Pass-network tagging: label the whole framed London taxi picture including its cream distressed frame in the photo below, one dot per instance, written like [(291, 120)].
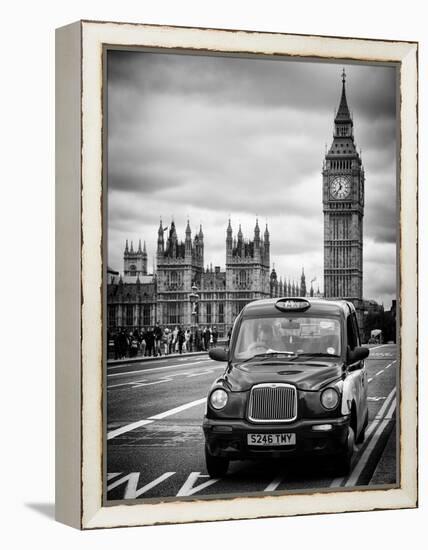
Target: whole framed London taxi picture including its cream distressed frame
[(236, 274)]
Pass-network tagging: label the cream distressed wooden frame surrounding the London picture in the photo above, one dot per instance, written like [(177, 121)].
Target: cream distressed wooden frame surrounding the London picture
[(79, 272)]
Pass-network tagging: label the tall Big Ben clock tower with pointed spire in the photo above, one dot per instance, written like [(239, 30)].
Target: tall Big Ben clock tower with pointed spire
[(343, 206)]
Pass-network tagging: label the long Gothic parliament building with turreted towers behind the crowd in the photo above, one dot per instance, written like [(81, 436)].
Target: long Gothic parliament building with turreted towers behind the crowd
[(137, 299)]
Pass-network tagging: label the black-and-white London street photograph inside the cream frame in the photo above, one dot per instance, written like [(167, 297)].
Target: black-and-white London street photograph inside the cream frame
[(251, 275)]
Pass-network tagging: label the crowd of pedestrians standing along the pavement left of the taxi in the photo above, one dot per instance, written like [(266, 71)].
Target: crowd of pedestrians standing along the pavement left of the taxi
[(156, 341)]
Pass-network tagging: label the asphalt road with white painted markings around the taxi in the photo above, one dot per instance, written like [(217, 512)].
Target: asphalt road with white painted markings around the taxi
[(155, 443)]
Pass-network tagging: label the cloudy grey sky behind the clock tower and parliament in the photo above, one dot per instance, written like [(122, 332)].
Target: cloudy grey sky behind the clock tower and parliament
[(205, 138)]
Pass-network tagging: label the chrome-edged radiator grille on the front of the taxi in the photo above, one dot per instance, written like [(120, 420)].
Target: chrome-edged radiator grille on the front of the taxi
[(272, 403)]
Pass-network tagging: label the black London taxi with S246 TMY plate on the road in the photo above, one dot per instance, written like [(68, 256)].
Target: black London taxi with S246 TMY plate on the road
[(295, 383)]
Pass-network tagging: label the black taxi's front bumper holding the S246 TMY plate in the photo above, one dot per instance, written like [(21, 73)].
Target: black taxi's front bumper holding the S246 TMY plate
[(229, 438)]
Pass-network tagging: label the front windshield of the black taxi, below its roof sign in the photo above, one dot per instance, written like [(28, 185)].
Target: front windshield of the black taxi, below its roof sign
[(290, 336)]
